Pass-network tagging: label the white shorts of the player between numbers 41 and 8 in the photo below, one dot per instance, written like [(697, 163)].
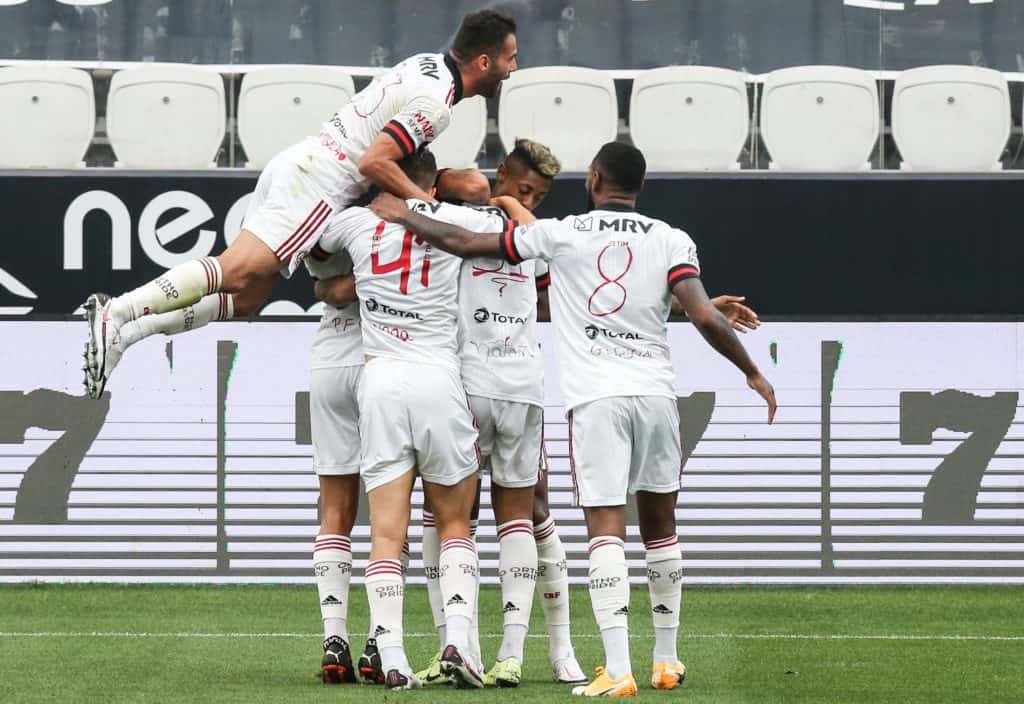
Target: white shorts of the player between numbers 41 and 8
[(511, 434)]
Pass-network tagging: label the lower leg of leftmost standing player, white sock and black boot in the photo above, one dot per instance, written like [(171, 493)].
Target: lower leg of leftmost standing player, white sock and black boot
[(333, 569)]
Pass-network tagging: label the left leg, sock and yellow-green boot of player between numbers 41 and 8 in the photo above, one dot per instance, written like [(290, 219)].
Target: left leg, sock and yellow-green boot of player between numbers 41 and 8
[(518, 568)]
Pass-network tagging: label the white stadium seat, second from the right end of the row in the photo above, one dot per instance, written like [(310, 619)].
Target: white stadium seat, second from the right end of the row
[(820, 118)]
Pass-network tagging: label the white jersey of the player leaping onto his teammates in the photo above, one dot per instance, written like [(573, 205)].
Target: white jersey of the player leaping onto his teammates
[(412, 104)]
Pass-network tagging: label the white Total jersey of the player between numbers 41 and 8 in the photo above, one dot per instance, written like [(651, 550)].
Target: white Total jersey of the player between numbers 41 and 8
[(500, 354)]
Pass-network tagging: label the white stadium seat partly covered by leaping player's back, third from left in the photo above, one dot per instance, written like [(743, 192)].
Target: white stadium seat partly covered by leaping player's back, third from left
[(280, 107)]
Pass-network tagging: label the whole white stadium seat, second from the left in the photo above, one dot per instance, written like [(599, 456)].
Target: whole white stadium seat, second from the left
[(166, 117)]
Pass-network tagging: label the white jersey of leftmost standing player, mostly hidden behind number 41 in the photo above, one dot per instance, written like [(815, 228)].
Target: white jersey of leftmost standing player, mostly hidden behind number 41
[(338, 341)]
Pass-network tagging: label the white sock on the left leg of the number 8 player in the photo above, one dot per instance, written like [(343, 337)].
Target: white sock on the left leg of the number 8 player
[(610, 595)]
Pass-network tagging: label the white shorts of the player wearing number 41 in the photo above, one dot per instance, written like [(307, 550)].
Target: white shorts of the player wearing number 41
[(415, 416)]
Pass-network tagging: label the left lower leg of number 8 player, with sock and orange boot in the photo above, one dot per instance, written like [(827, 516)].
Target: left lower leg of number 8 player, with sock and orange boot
[(610, 596)]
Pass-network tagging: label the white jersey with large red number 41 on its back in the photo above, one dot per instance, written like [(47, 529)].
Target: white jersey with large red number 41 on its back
[(408, 290)]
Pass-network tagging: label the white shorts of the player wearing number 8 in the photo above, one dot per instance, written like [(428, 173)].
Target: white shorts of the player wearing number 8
[(624, 444)]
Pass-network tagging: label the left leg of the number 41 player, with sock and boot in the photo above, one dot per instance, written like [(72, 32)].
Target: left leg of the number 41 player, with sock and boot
[(390, 507)]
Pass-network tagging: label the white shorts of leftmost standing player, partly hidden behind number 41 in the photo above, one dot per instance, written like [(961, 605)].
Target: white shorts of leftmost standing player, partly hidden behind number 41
[(334, 420)]
